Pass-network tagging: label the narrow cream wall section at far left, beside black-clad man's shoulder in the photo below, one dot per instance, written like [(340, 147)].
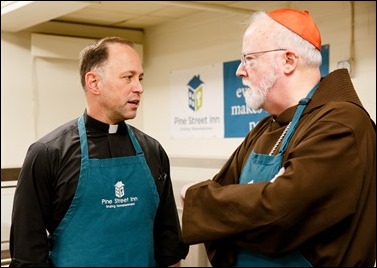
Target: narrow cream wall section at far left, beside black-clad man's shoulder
[(17, 122)]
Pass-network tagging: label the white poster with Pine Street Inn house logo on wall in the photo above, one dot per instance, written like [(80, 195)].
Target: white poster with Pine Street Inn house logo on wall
[(197, 102)]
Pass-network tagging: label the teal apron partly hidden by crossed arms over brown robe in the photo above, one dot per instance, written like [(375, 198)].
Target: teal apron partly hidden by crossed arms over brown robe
[(260, 168)]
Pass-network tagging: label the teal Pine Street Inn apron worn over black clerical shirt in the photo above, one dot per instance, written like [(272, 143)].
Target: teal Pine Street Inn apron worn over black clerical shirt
[(111, 218)]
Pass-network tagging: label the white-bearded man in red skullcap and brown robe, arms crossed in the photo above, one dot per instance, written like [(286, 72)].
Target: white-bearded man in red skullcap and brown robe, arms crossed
[(300, 190)]
